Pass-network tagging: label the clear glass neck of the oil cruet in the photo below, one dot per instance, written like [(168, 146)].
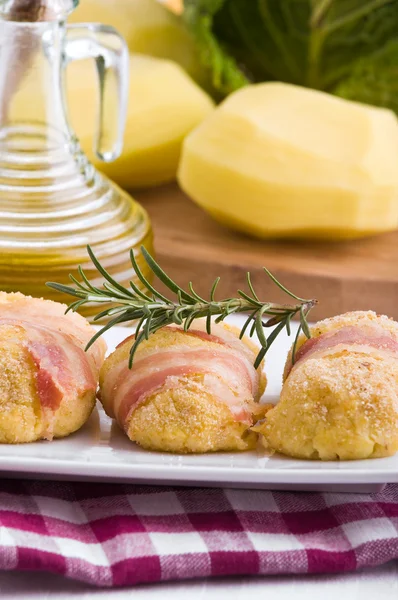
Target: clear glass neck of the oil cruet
[(31, 80)]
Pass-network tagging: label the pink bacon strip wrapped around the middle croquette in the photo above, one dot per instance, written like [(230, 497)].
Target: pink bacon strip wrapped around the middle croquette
[(228, 373)]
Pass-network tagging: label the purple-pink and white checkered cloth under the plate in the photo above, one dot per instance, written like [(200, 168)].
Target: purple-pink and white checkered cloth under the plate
[(115, 535)]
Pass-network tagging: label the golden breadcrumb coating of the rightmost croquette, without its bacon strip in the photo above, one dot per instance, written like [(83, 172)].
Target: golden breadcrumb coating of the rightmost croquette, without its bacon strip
[(342, 405)]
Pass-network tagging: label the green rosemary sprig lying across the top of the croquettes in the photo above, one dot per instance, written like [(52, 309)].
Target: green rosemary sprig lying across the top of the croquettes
[(153, 310)]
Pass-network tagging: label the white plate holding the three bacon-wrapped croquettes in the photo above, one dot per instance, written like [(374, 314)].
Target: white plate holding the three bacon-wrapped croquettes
[(100, 451)]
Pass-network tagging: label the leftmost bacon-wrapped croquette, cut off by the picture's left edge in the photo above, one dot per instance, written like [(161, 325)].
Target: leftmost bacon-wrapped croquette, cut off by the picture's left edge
[(47, 381)]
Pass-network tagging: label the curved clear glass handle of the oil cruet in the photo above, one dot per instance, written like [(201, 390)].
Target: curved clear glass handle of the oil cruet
[(109, 50)]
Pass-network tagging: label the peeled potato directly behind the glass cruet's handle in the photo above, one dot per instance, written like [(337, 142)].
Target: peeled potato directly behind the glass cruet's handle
[(164, 106)]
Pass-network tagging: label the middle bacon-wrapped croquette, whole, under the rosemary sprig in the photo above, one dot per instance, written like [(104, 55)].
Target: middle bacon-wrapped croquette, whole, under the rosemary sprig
[(186, 391)]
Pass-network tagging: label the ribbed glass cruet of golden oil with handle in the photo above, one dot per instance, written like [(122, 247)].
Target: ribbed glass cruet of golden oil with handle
[(52, 200)]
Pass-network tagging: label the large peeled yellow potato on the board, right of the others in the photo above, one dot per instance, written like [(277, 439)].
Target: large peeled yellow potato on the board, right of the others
[(277, 160)]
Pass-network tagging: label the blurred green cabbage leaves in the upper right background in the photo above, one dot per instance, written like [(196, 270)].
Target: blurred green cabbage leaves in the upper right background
[(347, 47)]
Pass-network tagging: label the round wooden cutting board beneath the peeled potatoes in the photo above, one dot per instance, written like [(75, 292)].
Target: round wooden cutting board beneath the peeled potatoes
[(343, 276)]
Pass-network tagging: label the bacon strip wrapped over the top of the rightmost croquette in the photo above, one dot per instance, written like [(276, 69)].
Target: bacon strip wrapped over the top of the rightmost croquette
[(365, 336)]
